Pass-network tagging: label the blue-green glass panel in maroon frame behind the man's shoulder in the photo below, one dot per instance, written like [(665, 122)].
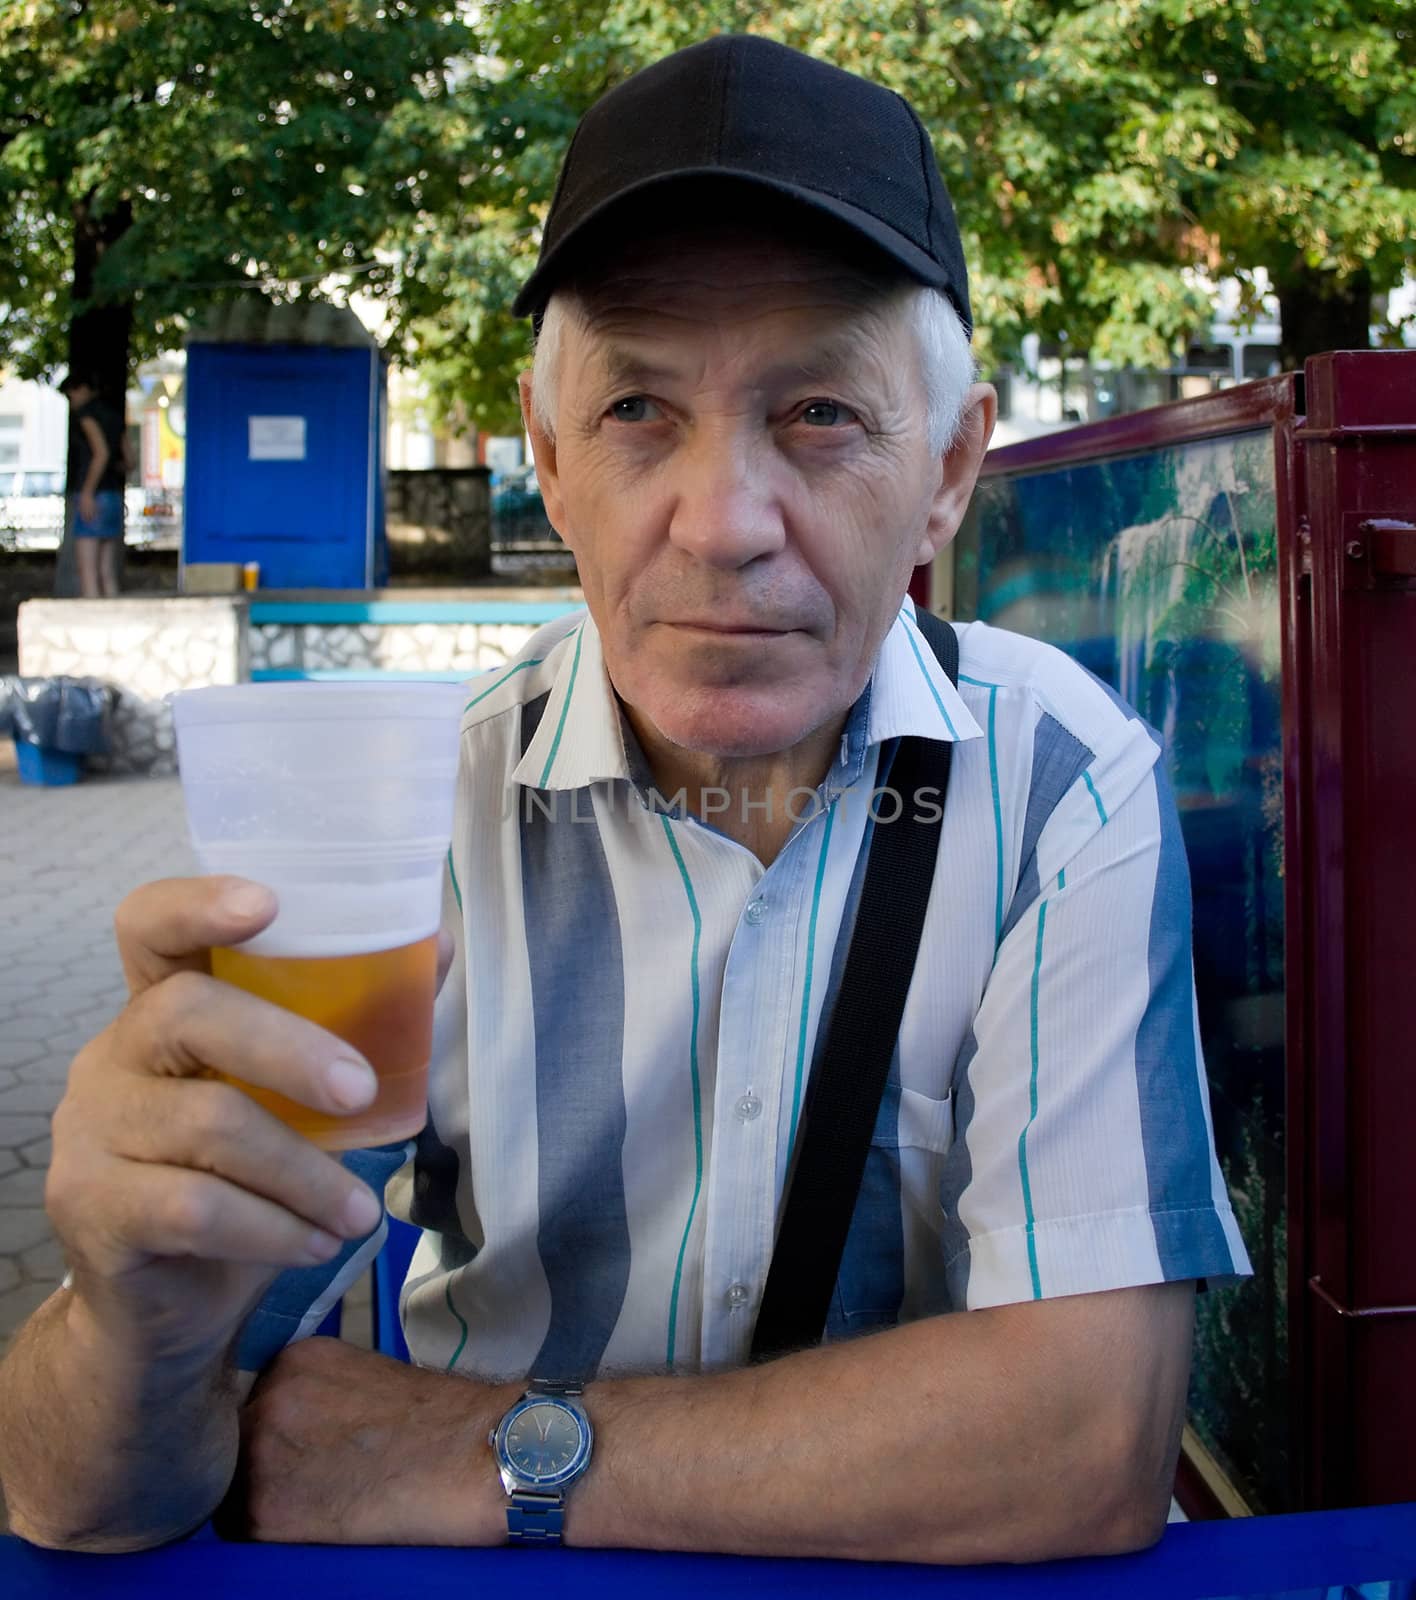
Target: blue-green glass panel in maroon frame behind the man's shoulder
[(1159, 574)]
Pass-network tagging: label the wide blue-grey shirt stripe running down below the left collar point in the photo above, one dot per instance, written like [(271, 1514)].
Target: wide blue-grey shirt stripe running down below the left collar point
[(577, 967)]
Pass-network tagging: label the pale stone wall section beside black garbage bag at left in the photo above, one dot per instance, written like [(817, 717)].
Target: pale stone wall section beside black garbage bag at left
[(146, 650)]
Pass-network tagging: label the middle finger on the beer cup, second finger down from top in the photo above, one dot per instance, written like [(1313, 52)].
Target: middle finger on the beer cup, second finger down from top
[(193, 1025)]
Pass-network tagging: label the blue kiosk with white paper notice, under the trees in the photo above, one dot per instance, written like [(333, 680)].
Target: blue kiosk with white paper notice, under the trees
[(286, 425)]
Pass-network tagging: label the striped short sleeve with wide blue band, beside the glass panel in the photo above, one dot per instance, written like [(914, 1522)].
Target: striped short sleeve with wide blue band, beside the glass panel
[(1084, 1154)]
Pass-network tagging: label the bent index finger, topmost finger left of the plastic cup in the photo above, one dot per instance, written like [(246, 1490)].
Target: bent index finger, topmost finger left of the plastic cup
[(170, 926)]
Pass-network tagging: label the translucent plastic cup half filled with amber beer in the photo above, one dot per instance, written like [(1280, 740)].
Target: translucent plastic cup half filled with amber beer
[(340, 799)]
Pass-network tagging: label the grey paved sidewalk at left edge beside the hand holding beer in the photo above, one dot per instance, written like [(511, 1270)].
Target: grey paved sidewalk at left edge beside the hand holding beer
[(68, 857)]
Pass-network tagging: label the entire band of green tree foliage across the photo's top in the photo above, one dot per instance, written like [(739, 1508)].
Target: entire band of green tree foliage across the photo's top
[(1097, 150)]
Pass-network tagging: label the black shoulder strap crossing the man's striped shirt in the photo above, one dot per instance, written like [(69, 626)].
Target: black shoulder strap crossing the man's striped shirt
[(846, 1090)]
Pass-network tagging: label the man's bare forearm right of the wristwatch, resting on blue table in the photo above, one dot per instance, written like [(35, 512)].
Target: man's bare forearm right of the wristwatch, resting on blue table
[(930, 1444)]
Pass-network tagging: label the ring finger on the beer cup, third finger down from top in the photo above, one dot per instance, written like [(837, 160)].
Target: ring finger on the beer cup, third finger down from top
[(217, 1129)]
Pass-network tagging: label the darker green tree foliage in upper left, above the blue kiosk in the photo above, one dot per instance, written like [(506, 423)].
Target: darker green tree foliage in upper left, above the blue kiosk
[(158, 158)]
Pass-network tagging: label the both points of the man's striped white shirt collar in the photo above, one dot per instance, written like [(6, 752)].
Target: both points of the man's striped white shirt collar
[(580, 738)]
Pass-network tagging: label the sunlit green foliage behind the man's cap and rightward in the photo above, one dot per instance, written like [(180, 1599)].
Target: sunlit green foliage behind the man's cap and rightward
[(1097, 150)]
